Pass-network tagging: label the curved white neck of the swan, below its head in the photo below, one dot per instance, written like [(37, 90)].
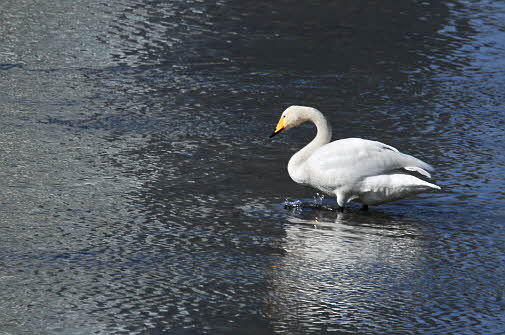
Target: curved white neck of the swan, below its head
[(323, 137)]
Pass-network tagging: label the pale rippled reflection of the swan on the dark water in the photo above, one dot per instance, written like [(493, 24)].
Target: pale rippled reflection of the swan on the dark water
[(343, 270)]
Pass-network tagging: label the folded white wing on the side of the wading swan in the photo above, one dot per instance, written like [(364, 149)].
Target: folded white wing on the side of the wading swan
[(354, 159)]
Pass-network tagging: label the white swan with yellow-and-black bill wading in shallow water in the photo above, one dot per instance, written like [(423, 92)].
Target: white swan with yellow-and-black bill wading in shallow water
[(352, 169)]
